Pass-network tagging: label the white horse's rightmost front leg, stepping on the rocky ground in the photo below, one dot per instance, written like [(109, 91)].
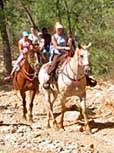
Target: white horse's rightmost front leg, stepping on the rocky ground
[(84, 112)]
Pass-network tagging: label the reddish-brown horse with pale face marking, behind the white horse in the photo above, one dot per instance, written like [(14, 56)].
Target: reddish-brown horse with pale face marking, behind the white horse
[(26, 80)]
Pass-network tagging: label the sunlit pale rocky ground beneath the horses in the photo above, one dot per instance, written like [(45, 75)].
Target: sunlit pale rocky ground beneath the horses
[(19, 136)]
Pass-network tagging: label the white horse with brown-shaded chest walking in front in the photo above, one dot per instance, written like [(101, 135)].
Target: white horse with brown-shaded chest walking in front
[(71, 82)]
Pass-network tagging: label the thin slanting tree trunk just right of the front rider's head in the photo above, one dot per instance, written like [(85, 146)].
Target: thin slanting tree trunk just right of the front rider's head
[(68, 16)]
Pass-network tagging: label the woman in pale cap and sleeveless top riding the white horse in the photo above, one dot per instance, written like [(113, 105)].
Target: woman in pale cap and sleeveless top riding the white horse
[(57, 49)]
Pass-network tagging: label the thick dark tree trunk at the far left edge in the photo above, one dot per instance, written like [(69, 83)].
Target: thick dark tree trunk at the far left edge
[(5, 40)]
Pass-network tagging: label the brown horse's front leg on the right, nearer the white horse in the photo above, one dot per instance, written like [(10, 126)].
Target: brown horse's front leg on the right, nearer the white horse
[(32, 95)]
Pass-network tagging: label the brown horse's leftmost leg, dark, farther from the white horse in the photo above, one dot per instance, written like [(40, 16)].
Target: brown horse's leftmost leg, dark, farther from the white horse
[(23, 95)]
